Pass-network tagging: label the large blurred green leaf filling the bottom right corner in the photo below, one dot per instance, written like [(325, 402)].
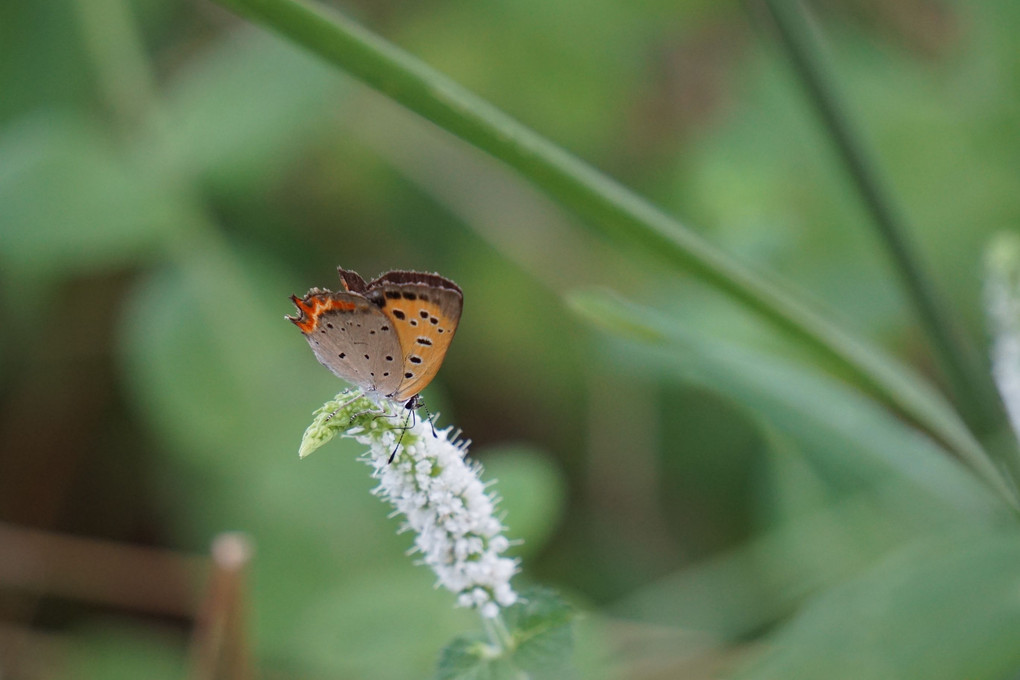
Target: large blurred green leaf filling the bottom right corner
[(939, 610)]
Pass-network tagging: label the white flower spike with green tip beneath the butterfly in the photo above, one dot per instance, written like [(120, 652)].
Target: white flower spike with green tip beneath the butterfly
[(440, 495)]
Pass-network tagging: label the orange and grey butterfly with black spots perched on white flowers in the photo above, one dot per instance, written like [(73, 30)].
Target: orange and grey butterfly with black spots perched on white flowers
[(387, 337)]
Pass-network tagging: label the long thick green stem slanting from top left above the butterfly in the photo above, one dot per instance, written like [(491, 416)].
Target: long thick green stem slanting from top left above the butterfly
[(614, 210)]
